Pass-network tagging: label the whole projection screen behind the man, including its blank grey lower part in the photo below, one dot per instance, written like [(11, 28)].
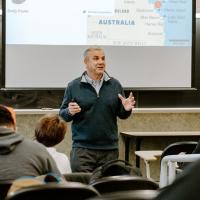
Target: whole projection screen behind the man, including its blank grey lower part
[(148, 43)]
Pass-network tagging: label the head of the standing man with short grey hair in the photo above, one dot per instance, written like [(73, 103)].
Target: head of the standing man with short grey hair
[(94, 59)]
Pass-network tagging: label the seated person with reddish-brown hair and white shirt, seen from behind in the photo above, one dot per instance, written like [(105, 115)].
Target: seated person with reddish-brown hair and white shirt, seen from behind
[(50, 131)]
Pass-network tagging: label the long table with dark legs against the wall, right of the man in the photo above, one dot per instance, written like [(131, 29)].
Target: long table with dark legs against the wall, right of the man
[(138, 136)]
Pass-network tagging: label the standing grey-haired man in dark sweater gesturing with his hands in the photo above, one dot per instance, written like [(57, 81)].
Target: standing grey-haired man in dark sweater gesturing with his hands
[(94, 101)]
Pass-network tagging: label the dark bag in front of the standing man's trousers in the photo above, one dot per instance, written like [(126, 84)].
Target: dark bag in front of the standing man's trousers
[(114, 168)]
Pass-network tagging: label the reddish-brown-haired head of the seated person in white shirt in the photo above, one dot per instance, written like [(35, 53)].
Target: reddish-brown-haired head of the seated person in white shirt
[(50, 130)]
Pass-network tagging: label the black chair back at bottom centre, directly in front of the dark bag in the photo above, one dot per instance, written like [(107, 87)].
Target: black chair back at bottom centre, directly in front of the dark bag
[(123, 183)]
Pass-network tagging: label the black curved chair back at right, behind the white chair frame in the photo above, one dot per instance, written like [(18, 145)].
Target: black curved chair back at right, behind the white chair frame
[(186, 147)]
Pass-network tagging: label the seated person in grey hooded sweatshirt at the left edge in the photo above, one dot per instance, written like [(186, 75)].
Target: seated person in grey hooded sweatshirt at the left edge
[(19, 156)]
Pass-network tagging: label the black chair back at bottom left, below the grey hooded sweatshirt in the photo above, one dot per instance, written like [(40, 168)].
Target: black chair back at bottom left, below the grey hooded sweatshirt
[(52, 191)]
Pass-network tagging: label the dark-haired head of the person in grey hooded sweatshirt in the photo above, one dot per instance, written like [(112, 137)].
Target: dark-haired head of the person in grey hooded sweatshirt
[(7, 117)]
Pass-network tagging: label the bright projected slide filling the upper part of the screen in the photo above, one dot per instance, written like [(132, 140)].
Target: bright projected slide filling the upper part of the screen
[(104, 22)]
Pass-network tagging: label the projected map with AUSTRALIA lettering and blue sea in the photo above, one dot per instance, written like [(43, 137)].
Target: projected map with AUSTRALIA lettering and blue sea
[(143, 23)]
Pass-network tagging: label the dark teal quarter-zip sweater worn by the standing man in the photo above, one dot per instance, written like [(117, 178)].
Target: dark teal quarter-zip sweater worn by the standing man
[(95, 127)]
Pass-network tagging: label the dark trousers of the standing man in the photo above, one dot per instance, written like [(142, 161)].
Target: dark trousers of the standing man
[(87, 160)]
